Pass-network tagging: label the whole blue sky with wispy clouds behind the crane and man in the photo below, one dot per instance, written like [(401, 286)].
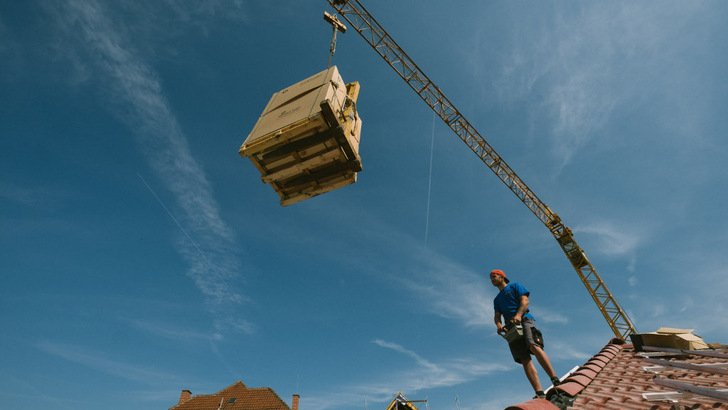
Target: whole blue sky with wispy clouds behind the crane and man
[(142, 256)]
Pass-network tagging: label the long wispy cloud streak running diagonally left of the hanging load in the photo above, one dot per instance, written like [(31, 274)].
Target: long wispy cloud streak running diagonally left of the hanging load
[(136, 95)]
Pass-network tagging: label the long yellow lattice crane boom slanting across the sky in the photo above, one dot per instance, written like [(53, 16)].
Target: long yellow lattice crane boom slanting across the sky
[(374, 34)]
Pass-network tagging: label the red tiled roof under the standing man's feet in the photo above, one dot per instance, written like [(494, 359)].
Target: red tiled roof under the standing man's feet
[(616, 378)]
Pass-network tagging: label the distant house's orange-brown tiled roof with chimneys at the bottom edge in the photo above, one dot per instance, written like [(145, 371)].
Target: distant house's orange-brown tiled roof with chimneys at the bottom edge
[(237, 396)]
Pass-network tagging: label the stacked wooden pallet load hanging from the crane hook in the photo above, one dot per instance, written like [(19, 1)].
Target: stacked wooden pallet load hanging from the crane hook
[(306, 142)]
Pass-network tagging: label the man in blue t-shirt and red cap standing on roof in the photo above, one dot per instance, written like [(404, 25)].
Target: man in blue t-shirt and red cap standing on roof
[(512, 303)]
